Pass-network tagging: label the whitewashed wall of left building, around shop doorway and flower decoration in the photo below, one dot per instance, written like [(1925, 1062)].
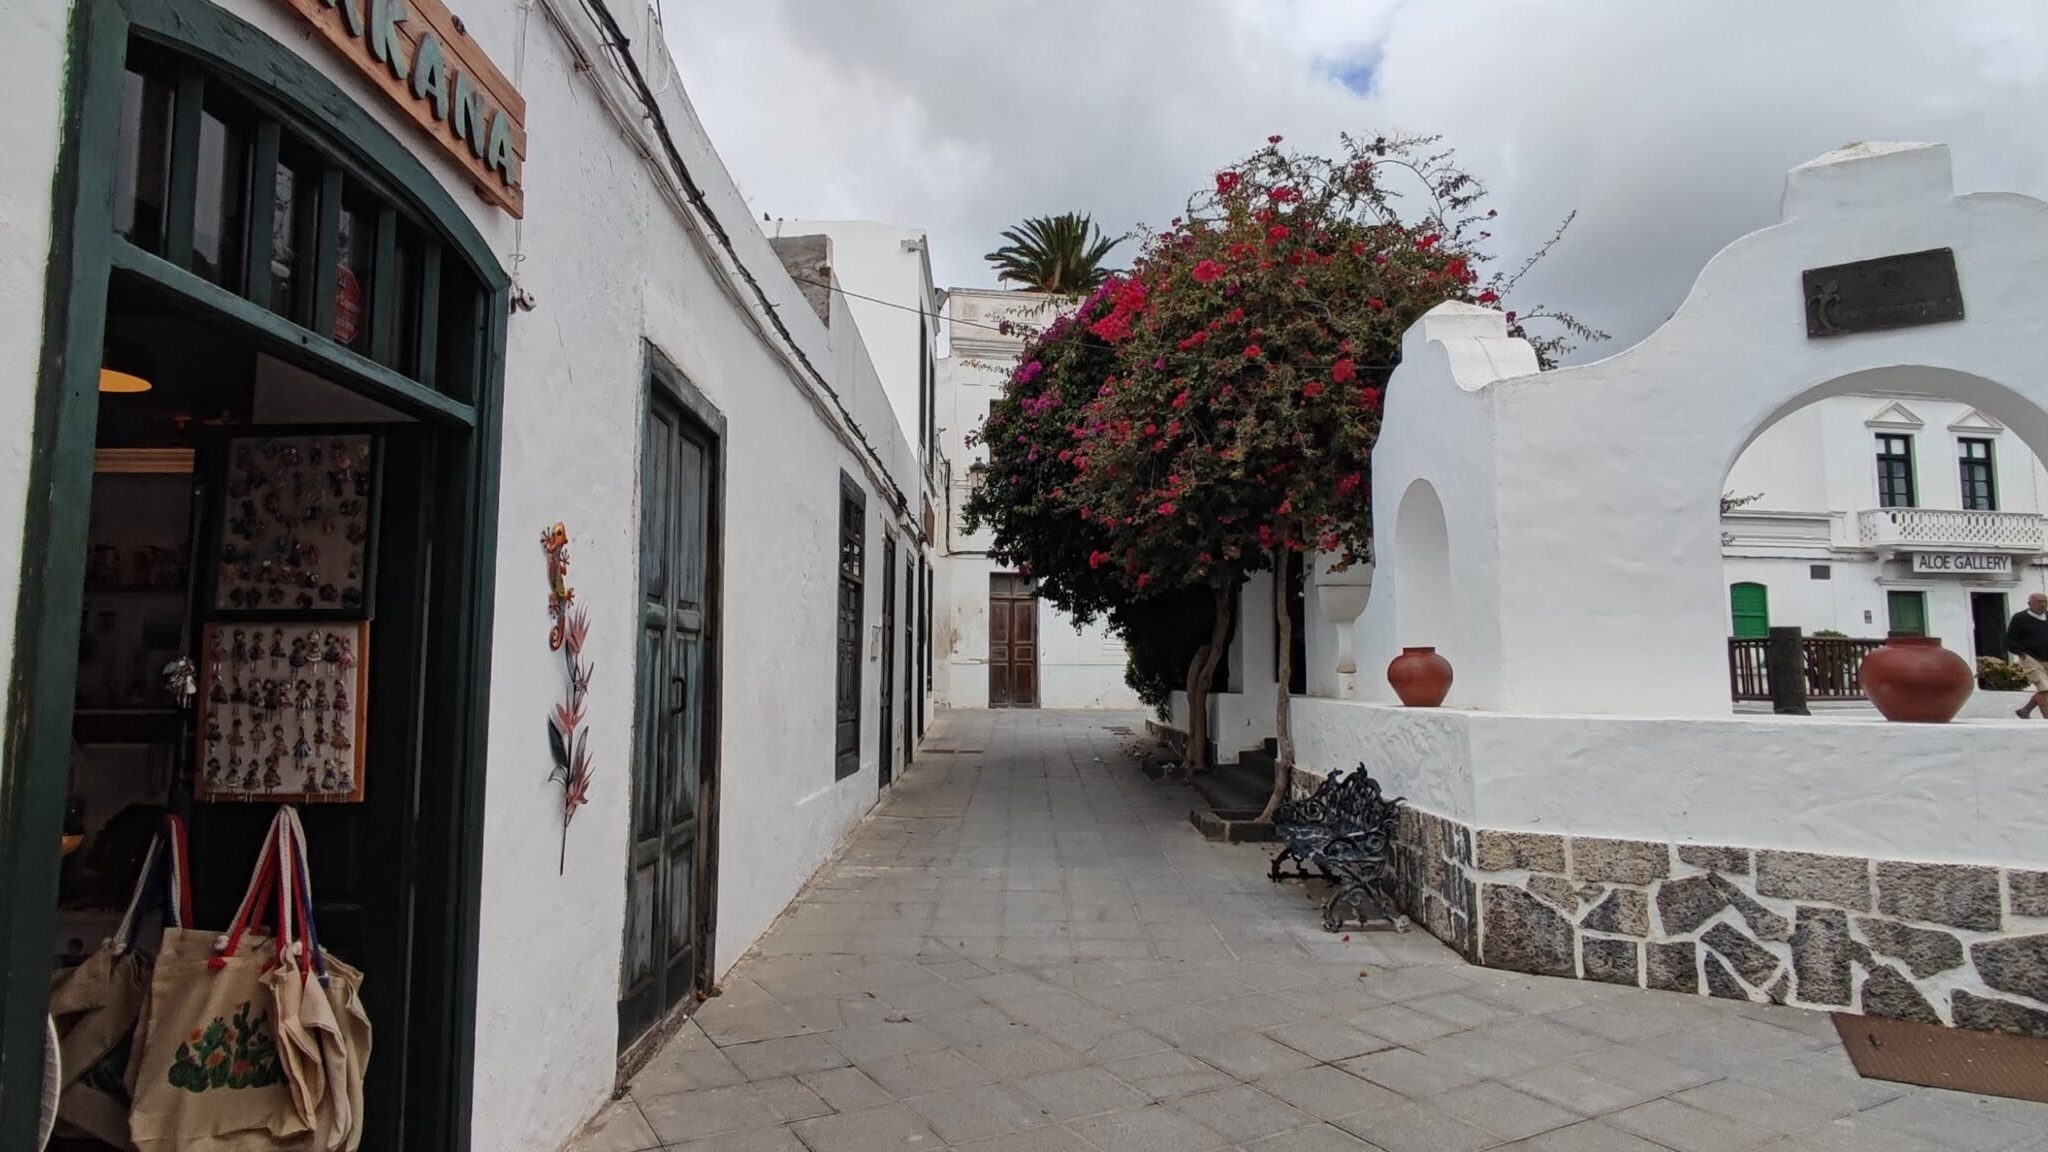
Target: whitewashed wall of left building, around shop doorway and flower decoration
[(609, 263)]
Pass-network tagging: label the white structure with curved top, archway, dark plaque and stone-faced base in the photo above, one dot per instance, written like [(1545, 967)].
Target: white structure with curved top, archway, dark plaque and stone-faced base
[(1588, 805)]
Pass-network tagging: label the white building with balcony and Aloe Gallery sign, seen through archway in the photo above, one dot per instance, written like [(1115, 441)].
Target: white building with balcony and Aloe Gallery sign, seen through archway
[(1873, 513)]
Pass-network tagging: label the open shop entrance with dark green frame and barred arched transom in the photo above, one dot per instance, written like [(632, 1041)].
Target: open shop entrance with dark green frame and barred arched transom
[(265, 446)]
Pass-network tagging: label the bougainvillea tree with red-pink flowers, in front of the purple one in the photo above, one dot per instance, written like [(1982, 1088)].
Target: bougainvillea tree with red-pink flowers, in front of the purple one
[(1252, 347)]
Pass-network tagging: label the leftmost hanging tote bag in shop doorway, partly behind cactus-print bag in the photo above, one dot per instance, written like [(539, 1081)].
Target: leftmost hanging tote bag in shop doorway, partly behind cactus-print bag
[(97, 1005)]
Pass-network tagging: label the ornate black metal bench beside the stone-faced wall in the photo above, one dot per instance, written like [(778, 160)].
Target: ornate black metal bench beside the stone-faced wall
[(1347, 831)]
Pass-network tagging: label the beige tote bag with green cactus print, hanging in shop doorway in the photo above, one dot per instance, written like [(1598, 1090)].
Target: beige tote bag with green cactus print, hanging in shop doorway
[(208, 1069)]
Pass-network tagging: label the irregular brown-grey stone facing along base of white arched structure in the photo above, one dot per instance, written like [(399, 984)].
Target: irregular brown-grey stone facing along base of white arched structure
[(1928, 942)]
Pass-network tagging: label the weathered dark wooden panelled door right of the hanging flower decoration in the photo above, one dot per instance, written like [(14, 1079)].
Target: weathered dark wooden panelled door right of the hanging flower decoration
[(667, 882)]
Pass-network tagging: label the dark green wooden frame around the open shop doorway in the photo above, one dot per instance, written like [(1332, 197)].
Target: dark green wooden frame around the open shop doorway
[(42, 682)]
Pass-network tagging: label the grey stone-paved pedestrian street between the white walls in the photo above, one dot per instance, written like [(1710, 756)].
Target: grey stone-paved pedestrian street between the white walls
[(1029, 950)]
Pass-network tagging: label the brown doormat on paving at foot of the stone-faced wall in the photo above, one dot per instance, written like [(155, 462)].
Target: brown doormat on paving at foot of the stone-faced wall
[(1934, 1057)]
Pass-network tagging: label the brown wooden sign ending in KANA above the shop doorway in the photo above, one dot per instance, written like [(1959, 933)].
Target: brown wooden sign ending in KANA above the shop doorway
[(423, 58)]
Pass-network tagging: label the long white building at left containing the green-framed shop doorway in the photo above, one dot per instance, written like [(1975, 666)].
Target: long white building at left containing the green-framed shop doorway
[(501, 261)]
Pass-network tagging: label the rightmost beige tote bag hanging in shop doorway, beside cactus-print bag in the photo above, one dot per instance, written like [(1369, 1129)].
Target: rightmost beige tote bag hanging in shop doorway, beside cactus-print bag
[(323, 1026)]
